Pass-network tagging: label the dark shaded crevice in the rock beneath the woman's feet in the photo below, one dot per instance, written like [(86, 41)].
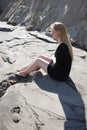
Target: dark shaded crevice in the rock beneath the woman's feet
[(11, 80)]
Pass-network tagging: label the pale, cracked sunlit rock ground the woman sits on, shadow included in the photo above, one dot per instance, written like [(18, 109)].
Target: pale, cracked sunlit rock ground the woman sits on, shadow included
[(38, 102)]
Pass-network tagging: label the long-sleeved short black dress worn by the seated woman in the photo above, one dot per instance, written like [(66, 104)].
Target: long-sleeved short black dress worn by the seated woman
[(61, 69)]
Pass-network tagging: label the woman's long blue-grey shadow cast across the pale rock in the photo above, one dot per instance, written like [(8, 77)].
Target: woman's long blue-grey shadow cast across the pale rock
[(70, 99)]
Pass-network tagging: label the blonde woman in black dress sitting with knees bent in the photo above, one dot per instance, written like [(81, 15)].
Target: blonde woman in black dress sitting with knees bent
[(63, 57)]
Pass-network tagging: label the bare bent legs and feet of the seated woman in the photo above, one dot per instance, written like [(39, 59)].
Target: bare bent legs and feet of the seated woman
[(37, 64)]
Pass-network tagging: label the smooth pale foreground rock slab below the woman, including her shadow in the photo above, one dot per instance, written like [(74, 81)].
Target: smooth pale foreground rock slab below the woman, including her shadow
[(40, 103)]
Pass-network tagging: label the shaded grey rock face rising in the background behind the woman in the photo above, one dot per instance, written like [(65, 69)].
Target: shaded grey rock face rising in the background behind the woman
[(37, 14)]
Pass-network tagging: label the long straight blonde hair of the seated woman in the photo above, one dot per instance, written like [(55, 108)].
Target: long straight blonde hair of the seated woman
[(58, 26)]
